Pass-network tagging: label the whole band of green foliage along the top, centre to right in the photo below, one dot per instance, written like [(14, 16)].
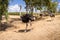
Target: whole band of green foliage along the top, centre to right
[(39, 4)]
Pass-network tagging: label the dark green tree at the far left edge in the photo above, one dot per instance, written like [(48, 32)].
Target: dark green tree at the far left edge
[(3, 9)]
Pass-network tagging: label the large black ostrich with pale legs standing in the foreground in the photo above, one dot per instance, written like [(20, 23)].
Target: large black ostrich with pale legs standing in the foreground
[(26, 18)]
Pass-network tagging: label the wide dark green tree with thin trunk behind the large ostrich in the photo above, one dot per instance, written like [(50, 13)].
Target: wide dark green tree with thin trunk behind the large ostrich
[(35, 3)]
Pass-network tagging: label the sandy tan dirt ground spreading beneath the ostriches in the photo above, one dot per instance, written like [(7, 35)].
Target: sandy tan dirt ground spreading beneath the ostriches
[(43, 29)]
